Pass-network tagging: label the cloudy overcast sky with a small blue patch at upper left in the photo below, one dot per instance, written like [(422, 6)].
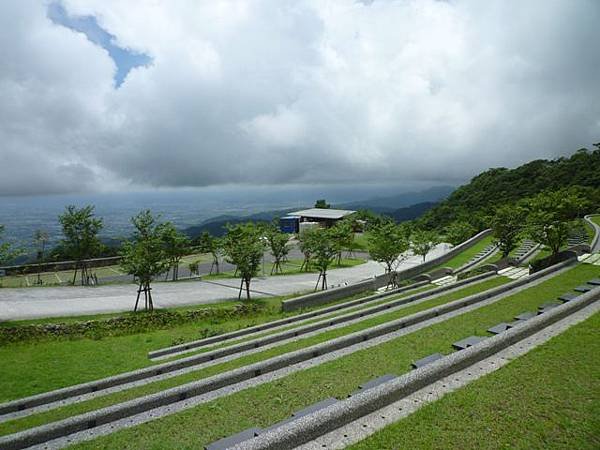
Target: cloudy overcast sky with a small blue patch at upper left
[(115, 95)]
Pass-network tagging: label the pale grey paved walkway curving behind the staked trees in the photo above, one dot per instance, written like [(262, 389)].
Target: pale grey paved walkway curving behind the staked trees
[(29, 303)]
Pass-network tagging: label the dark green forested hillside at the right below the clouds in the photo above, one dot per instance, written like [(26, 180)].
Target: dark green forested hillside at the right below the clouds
[(479, 198)]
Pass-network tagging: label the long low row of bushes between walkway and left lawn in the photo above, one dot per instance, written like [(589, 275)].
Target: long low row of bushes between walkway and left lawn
[(123, 325)]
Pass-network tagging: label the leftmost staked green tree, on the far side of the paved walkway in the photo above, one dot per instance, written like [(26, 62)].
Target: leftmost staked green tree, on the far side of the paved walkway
[(80, 229)]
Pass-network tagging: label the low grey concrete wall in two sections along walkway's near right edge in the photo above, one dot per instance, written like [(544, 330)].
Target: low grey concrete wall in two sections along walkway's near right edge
[(319, 298)]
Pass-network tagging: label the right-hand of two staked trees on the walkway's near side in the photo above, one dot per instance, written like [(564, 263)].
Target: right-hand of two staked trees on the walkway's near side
[(244, 247)]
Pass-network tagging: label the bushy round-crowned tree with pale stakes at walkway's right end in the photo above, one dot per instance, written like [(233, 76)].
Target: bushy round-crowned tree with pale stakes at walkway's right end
[(387, 242)]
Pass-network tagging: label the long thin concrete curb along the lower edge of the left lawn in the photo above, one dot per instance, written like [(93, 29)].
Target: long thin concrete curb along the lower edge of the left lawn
[(149, 372)]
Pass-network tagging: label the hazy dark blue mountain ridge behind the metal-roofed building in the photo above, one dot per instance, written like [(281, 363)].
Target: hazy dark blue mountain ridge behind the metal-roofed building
[(401, 207)]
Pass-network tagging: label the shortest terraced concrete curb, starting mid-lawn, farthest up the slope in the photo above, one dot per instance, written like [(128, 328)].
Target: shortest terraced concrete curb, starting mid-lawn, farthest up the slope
[(270, 325)]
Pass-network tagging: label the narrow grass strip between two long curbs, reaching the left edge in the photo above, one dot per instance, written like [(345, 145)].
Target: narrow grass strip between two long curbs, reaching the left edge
[(118, 397)]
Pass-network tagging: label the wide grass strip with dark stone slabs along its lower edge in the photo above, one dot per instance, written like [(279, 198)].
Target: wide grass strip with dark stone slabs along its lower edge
[(268, 403)]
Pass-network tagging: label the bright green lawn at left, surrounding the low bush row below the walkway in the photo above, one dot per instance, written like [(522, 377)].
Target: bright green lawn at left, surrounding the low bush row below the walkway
[(34, 367)]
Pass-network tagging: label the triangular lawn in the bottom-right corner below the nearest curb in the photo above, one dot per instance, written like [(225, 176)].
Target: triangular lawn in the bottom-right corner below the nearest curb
[(548, 398)]
